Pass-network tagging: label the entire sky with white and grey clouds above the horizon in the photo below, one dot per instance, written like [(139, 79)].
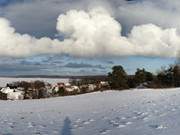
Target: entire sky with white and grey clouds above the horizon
[(87, 37)]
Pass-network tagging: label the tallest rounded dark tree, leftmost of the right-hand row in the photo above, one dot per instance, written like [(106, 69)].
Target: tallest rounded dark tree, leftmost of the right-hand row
[(118, 78)]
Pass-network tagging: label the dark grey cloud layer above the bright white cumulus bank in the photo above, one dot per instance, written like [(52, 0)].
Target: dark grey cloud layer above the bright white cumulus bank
[(38, 17)]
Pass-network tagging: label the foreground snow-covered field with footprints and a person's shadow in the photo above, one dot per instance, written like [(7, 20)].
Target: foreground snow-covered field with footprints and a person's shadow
[(131, 112)]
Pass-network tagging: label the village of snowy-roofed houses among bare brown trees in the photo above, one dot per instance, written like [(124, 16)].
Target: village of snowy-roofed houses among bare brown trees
[(39, 89)]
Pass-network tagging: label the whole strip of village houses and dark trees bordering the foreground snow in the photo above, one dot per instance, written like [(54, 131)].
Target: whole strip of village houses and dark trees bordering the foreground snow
[(117, 79)]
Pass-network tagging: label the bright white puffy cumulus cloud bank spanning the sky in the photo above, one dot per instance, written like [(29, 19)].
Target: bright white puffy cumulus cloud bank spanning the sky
[(91, 33)]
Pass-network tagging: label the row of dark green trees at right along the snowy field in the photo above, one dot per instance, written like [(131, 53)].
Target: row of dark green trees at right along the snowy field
[(165, 78)]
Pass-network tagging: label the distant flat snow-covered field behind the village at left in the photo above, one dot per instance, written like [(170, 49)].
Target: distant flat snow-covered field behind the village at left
[(5, 80)]
